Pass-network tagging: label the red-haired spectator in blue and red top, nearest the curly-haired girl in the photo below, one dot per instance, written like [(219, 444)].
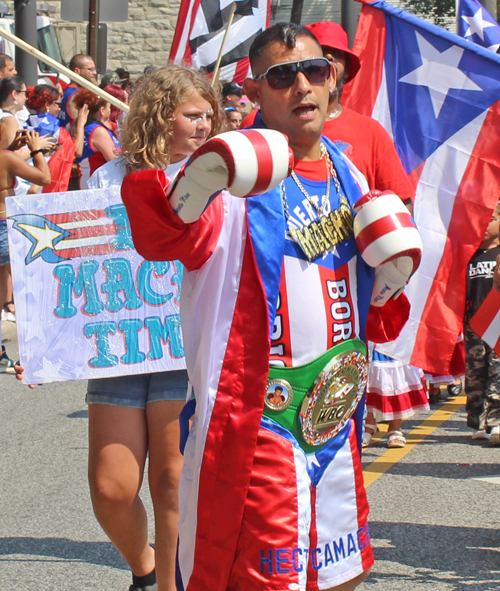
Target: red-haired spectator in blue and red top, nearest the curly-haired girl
[(100, 143)]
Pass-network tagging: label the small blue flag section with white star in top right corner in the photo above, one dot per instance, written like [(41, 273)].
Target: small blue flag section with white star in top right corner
[(476, 24)]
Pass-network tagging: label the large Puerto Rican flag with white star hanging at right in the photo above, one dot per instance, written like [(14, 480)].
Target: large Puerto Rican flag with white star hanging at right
[(438, 96)]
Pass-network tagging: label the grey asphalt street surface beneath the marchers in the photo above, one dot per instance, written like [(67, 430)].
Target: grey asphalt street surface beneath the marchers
[(434, 522)]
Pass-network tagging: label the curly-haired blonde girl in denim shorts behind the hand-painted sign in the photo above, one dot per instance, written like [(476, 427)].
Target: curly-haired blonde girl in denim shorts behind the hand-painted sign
[(171, 114)]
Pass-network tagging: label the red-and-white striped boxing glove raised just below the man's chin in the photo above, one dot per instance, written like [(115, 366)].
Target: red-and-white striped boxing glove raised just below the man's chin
[(246, 163)]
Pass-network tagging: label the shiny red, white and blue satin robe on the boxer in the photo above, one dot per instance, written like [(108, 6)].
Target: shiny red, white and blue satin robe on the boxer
[(234, 257)]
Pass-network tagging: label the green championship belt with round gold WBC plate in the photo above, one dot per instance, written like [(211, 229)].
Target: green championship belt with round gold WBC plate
[(316, 400)]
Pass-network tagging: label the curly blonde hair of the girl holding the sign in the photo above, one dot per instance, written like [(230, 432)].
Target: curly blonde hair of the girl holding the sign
[(147, 130)]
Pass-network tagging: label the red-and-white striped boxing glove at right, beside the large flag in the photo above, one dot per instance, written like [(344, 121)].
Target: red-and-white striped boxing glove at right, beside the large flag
[(389, 241)]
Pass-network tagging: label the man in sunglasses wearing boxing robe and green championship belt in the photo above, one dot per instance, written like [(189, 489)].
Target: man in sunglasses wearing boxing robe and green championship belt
[(275, 293)]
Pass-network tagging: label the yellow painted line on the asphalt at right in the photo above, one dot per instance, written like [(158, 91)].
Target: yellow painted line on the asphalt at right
[(392, 456)]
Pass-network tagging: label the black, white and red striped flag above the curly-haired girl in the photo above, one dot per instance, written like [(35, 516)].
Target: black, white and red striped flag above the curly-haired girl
[(200, 30)]
